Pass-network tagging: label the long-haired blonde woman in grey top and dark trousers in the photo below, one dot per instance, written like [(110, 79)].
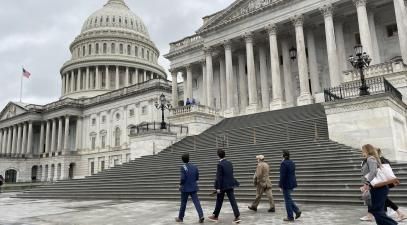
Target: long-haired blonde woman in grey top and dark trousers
[(379, 194)]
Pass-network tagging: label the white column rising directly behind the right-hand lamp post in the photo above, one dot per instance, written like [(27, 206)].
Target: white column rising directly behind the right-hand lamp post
[(364, 30)]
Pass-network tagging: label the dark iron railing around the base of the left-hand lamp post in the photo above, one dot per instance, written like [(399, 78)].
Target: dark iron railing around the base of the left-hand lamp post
[(144, 128)]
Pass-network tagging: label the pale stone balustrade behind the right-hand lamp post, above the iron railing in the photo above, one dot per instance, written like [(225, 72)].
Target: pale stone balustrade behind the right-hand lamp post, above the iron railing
[(381, 69)]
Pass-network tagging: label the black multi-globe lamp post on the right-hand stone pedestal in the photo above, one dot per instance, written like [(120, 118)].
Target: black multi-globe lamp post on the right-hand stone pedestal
[(361, 61)]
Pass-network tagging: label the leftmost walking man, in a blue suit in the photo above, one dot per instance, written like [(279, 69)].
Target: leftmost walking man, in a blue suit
[(189, 187)]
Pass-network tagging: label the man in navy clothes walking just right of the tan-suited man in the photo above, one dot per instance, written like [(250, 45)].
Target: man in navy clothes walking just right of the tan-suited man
[(287, 184)]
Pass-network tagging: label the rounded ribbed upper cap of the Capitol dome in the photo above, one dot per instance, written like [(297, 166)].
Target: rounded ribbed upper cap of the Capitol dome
[(115, 15)]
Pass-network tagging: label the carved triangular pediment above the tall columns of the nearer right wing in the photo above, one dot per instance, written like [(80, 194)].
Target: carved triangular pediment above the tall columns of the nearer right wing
[(238, 10)]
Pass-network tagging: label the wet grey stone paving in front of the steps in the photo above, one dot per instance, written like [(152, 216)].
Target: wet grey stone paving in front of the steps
[(64, 212)]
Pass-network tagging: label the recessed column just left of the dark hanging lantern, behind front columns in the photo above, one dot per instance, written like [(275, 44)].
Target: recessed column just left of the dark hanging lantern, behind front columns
[(288, 77)]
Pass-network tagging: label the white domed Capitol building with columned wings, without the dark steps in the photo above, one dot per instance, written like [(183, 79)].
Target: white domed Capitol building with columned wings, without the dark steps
[(251, 57)]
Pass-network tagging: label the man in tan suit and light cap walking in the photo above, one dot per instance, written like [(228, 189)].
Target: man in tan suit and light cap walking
[(263, 184)]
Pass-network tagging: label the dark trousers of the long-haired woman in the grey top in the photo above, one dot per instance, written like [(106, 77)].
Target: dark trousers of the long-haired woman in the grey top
[(379, 196)]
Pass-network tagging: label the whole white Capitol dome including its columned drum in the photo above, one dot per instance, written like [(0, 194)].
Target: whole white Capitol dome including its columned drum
[(113, 51)]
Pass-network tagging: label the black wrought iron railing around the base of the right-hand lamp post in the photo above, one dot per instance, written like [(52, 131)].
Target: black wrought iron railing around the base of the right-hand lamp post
[(377, 85)]
